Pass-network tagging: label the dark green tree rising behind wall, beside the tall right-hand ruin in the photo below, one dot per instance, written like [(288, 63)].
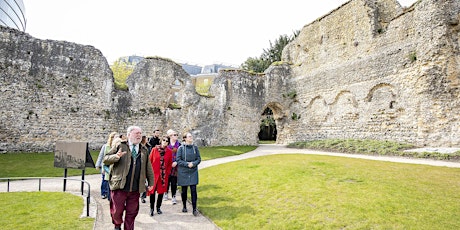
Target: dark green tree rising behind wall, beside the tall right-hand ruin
[(273, 54)]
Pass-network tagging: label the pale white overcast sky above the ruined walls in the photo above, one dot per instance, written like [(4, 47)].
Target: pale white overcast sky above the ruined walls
[(200, 32)]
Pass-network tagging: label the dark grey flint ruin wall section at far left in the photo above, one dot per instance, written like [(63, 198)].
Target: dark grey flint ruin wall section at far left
[(50, 90)]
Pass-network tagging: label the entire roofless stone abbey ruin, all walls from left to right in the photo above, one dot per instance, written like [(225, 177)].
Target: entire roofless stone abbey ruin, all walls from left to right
[(369, 69)]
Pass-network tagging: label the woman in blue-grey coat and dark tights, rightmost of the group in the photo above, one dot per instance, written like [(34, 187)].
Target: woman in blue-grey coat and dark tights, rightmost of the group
[(188, 158)]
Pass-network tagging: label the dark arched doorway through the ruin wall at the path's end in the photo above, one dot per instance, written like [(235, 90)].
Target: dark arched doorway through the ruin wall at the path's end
[(268, 130)]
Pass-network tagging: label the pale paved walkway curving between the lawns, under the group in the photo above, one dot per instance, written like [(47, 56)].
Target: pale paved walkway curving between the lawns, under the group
[(172, 217)]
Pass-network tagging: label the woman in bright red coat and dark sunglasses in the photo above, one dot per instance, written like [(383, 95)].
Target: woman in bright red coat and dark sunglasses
[(161, 159)]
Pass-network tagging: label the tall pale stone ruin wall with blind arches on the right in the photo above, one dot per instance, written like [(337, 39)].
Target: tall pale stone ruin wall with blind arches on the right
[(360, 80)]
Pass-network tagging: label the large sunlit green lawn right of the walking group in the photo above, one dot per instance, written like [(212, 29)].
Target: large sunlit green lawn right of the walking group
[(323, 192)]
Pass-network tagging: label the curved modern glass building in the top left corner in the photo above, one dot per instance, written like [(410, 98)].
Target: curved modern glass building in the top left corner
[(13, 14)]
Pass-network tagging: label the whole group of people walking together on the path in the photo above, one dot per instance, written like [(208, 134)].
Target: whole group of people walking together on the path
[(135, 167)]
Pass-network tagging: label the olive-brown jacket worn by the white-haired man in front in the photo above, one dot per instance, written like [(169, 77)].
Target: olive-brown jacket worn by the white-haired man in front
[(119, 167)]
